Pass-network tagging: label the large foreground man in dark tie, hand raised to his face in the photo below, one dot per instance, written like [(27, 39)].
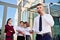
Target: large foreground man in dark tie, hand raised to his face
[(42, 24)]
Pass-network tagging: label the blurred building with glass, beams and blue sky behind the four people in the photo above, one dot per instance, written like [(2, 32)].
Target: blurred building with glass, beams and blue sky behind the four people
[(25, 10)]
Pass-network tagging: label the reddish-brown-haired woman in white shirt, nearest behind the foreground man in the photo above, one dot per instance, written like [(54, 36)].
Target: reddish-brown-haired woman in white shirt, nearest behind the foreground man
[(27, 31)]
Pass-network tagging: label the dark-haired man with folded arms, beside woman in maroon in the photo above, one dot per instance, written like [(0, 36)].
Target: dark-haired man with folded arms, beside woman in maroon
[(20, 31)]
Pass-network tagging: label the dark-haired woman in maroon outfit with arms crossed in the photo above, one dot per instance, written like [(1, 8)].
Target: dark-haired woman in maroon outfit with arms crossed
[(9, 30)]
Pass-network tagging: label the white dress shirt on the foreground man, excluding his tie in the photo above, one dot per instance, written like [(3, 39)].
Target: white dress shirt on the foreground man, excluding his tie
[(47, 23)]
